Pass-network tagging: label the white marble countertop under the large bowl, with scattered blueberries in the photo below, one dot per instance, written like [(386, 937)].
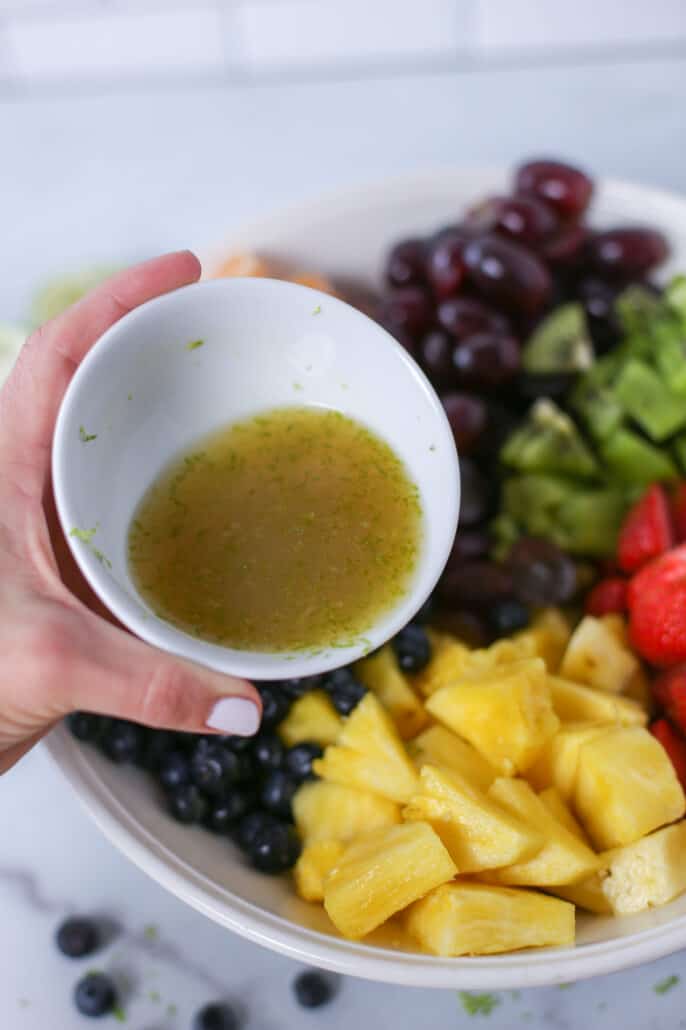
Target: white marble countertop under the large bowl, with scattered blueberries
[(127, 175)]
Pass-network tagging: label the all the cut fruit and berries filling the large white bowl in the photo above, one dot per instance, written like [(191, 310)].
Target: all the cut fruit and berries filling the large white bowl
[(518, 754)]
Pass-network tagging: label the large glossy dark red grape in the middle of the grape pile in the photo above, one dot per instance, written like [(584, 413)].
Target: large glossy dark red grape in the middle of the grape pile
[(507, 274)]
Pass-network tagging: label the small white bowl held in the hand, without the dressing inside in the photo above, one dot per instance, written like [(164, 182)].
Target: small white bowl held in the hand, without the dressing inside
[(210, 355)]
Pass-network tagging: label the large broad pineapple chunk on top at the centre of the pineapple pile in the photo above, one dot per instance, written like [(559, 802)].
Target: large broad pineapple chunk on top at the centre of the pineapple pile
[(506, 713)]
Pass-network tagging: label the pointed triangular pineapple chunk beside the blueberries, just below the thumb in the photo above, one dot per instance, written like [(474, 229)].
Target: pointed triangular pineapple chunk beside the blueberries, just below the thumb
[(370, 756)]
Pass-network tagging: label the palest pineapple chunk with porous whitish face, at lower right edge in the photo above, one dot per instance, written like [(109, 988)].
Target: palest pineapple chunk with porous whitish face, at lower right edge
[(647, 874)]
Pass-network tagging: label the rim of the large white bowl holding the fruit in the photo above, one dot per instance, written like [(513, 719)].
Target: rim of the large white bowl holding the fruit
[(510, 971)]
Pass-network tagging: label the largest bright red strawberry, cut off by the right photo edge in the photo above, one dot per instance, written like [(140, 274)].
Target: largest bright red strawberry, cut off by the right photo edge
[(657, 600)]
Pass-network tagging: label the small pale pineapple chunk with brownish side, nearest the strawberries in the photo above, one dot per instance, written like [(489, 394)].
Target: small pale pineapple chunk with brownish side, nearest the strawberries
[(596, 657)]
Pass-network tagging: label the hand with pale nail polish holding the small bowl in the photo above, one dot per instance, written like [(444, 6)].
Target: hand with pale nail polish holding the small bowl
[(60, 649)]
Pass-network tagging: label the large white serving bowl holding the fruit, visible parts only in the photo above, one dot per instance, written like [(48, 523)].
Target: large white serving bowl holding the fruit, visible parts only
[(347, 234)]
